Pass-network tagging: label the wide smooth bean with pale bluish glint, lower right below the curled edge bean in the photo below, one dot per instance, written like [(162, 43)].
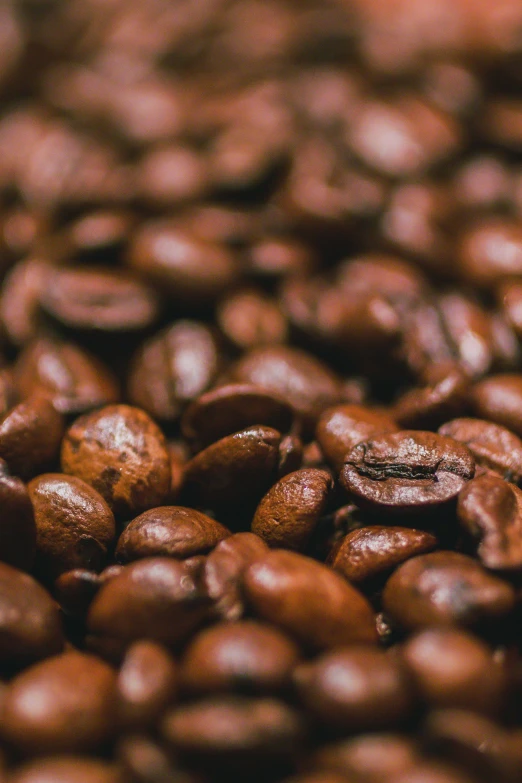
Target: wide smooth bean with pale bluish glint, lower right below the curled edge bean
[(446, 588)]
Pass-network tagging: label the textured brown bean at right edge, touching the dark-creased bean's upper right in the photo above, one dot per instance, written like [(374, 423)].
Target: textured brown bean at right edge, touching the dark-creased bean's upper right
[(493, 446)]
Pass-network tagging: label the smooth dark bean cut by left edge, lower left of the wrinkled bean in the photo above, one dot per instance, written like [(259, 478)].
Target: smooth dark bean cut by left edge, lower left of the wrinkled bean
[(30, 623)]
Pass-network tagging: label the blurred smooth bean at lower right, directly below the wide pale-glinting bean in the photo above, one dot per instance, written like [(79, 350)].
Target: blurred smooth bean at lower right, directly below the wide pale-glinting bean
[(452, 668)]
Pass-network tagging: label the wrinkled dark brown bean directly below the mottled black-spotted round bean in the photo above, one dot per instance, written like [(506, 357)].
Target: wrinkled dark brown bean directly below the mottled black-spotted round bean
[(74, 525)]
